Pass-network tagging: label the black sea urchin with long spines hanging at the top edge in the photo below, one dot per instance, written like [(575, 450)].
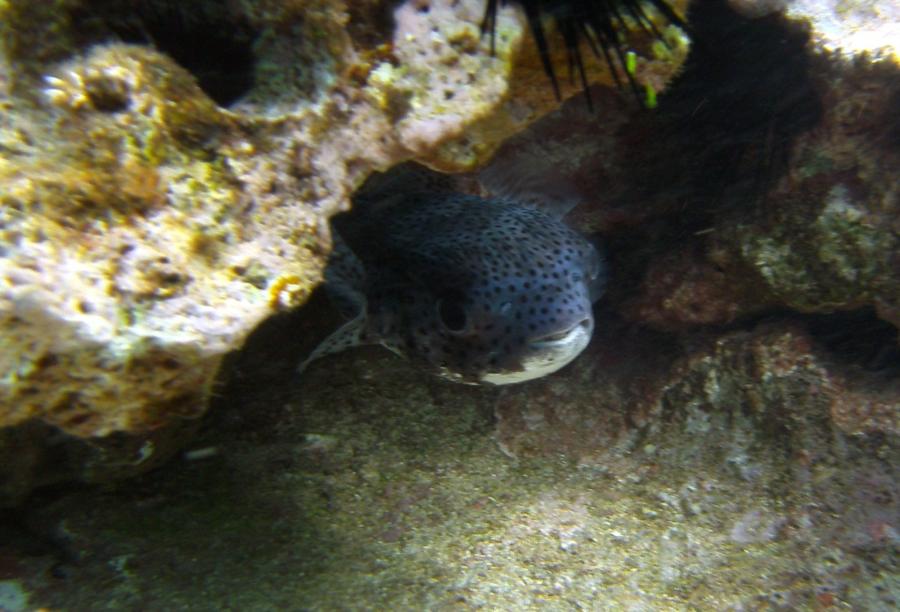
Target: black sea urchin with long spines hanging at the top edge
[(597, 21)]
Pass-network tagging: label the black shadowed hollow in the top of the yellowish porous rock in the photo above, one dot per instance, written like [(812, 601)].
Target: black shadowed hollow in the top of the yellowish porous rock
[(209, 38)]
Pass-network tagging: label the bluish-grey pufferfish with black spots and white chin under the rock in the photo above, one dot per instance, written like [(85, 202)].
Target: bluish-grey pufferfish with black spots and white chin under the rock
[(477, 290)]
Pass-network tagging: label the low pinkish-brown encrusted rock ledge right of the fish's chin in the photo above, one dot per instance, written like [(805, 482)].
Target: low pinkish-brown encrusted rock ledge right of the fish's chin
[(776, 376)]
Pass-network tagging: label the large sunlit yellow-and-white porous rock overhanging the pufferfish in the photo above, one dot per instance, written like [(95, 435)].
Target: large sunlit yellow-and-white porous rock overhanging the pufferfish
[(168, 172)]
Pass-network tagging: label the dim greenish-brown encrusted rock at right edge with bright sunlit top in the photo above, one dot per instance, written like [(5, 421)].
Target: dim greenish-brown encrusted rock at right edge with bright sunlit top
[(824, 237)]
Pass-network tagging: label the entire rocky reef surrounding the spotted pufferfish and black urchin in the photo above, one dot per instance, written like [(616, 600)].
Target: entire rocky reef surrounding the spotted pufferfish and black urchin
[(728, 441)]
